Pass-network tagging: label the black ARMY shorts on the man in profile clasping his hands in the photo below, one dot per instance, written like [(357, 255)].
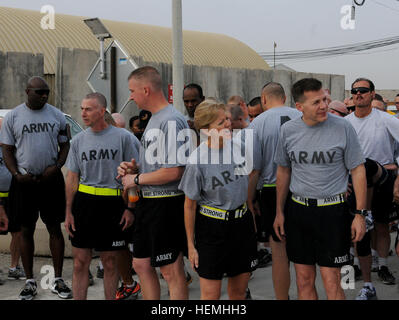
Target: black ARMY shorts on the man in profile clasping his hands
[(159, 231)]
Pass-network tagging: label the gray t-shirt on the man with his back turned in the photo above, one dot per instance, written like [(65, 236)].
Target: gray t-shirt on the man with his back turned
[(267, 130)]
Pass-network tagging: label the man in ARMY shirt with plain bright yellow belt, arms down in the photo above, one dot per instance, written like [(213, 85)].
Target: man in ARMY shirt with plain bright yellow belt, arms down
[(96, 216)]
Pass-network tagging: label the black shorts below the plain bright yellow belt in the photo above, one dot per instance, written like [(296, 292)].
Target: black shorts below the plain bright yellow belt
[(97, 222)]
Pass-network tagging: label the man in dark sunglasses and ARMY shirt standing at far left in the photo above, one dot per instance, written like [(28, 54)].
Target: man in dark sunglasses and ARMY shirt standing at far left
[(35, 146)]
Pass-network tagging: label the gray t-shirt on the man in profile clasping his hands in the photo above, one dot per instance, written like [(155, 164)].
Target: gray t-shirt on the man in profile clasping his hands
[(159, 145)]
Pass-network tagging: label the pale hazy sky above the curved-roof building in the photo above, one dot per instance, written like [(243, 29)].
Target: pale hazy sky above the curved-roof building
[(292, 24)]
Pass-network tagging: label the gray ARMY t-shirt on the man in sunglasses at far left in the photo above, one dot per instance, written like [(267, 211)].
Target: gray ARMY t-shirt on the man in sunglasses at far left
[(35, 135)]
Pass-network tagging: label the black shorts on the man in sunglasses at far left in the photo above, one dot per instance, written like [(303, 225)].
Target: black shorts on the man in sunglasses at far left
[(26, 201)]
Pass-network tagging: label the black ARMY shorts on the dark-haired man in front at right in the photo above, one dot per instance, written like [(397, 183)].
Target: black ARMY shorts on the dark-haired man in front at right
[(318, 235)]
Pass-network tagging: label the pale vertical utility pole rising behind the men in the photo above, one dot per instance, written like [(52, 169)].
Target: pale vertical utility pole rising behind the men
[(177, 54)]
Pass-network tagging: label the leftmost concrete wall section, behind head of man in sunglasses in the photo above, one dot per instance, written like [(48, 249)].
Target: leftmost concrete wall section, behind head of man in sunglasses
[(15, 70)]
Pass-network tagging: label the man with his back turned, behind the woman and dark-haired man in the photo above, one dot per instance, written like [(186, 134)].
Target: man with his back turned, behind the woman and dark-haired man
[(267, 130)]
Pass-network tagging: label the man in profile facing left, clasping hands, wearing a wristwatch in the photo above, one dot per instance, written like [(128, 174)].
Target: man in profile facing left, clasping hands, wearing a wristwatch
[(159, 237)]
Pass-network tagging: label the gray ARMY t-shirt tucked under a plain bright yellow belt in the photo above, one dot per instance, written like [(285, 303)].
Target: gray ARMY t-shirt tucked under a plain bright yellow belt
[(95, 156)]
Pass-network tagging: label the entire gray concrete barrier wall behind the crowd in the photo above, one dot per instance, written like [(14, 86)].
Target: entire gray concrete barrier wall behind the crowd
[(74, 65)]
